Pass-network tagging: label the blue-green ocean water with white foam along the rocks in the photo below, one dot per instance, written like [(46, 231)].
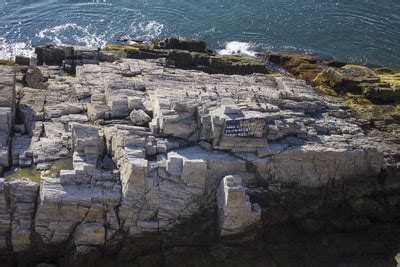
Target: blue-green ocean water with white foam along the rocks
[(358, 31)]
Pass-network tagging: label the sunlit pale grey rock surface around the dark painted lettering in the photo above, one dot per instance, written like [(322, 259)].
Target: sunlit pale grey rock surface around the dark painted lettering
[(209, 138)]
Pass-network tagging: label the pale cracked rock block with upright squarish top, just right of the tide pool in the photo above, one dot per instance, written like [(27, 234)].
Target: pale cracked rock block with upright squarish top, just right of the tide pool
[(81, 202)]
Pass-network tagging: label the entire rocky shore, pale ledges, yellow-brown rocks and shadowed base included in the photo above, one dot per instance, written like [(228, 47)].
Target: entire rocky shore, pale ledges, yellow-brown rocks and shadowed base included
[(167, 154)]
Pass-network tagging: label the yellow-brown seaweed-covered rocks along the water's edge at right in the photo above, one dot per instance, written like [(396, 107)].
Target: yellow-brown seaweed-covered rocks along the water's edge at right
[(371, 93)]
